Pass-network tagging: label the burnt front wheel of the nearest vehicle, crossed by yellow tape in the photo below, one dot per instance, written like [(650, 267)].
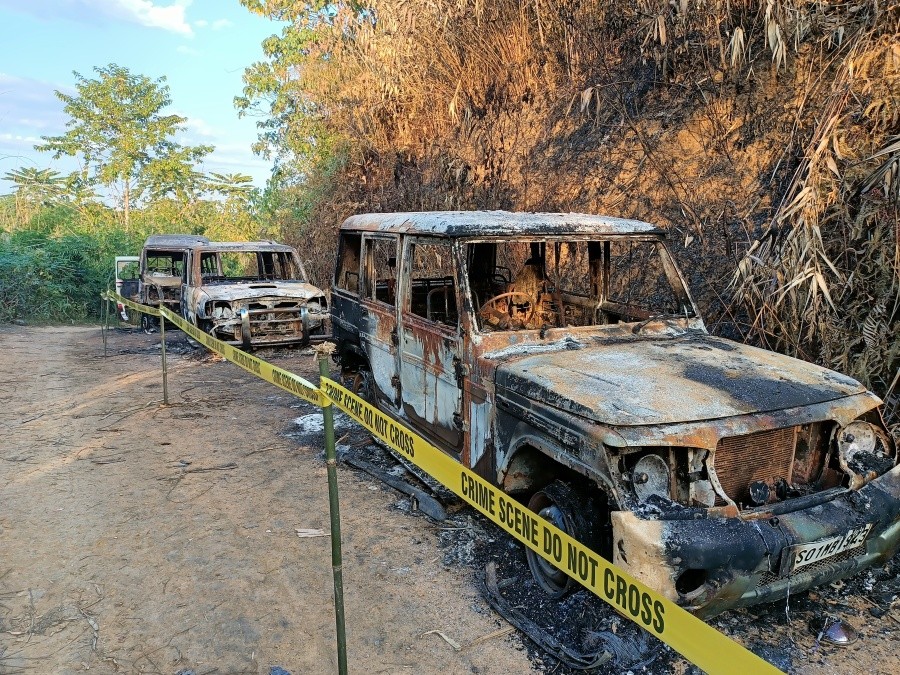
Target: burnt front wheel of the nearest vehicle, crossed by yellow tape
[(572, 511)]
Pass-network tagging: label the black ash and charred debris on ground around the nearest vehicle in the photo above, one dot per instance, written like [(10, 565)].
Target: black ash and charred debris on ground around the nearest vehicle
[(777, 632)]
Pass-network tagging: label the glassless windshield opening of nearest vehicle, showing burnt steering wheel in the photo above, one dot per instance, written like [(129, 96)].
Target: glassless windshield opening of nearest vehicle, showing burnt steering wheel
[(526, 285)]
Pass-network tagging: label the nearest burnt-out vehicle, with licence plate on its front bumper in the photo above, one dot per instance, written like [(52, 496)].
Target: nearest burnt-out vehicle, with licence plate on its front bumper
[(562, 357)]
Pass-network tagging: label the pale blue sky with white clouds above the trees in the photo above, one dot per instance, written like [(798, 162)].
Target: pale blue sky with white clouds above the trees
[(200, 46)]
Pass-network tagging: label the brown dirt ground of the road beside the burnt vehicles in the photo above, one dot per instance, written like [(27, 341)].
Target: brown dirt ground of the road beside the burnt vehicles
[(136, 537)]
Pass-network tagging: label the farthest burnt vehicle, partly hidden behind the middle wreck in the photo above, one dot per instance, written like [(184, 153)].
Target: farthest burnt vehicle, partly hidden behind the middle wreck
[(162, 269)]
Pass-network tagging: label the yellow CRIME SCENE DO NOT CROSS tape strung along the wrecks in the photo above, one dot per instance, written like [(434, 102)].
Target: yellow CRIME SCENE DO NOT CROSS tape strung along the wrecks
[(691, 637)]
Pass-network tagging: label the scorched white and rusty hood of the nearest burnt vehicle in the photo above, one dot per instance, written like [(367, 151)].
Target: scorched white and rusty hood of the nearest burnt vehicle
[(686, 379)]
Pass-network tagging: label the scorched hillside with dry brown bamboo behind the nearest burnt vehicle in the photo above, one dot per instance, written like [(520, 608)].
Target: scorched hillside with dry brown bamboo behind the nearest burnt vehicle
[(764, 134)]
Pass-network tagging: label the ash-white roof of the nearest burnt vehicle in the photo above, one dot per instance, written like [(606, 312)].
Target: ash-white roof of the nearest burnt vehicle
[(494, 223)]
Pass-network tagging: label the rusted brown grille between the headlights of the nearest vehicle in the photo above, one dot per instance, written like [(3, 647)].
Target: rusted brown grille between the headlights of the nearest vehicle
[(765, 456)]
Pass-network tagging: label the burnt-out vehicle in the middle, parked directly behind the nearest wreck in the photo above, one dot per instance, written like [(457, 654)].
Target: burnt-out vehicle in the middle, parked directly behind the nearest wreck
[(252, 294)]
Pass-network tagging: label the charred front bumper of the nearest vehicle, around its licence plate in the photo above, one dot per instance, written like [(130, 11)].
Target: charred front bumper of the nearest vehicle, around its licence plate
[(709, 565)]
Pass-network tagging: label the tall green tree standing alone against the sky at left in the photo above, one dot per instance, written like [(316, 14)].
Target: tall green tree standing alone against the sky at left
[(118, 129)]
